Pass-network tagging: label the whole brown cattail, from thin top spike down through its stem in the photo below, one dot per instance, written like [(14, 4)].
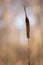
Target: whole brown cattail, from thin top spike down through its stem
[(28, 33)]
